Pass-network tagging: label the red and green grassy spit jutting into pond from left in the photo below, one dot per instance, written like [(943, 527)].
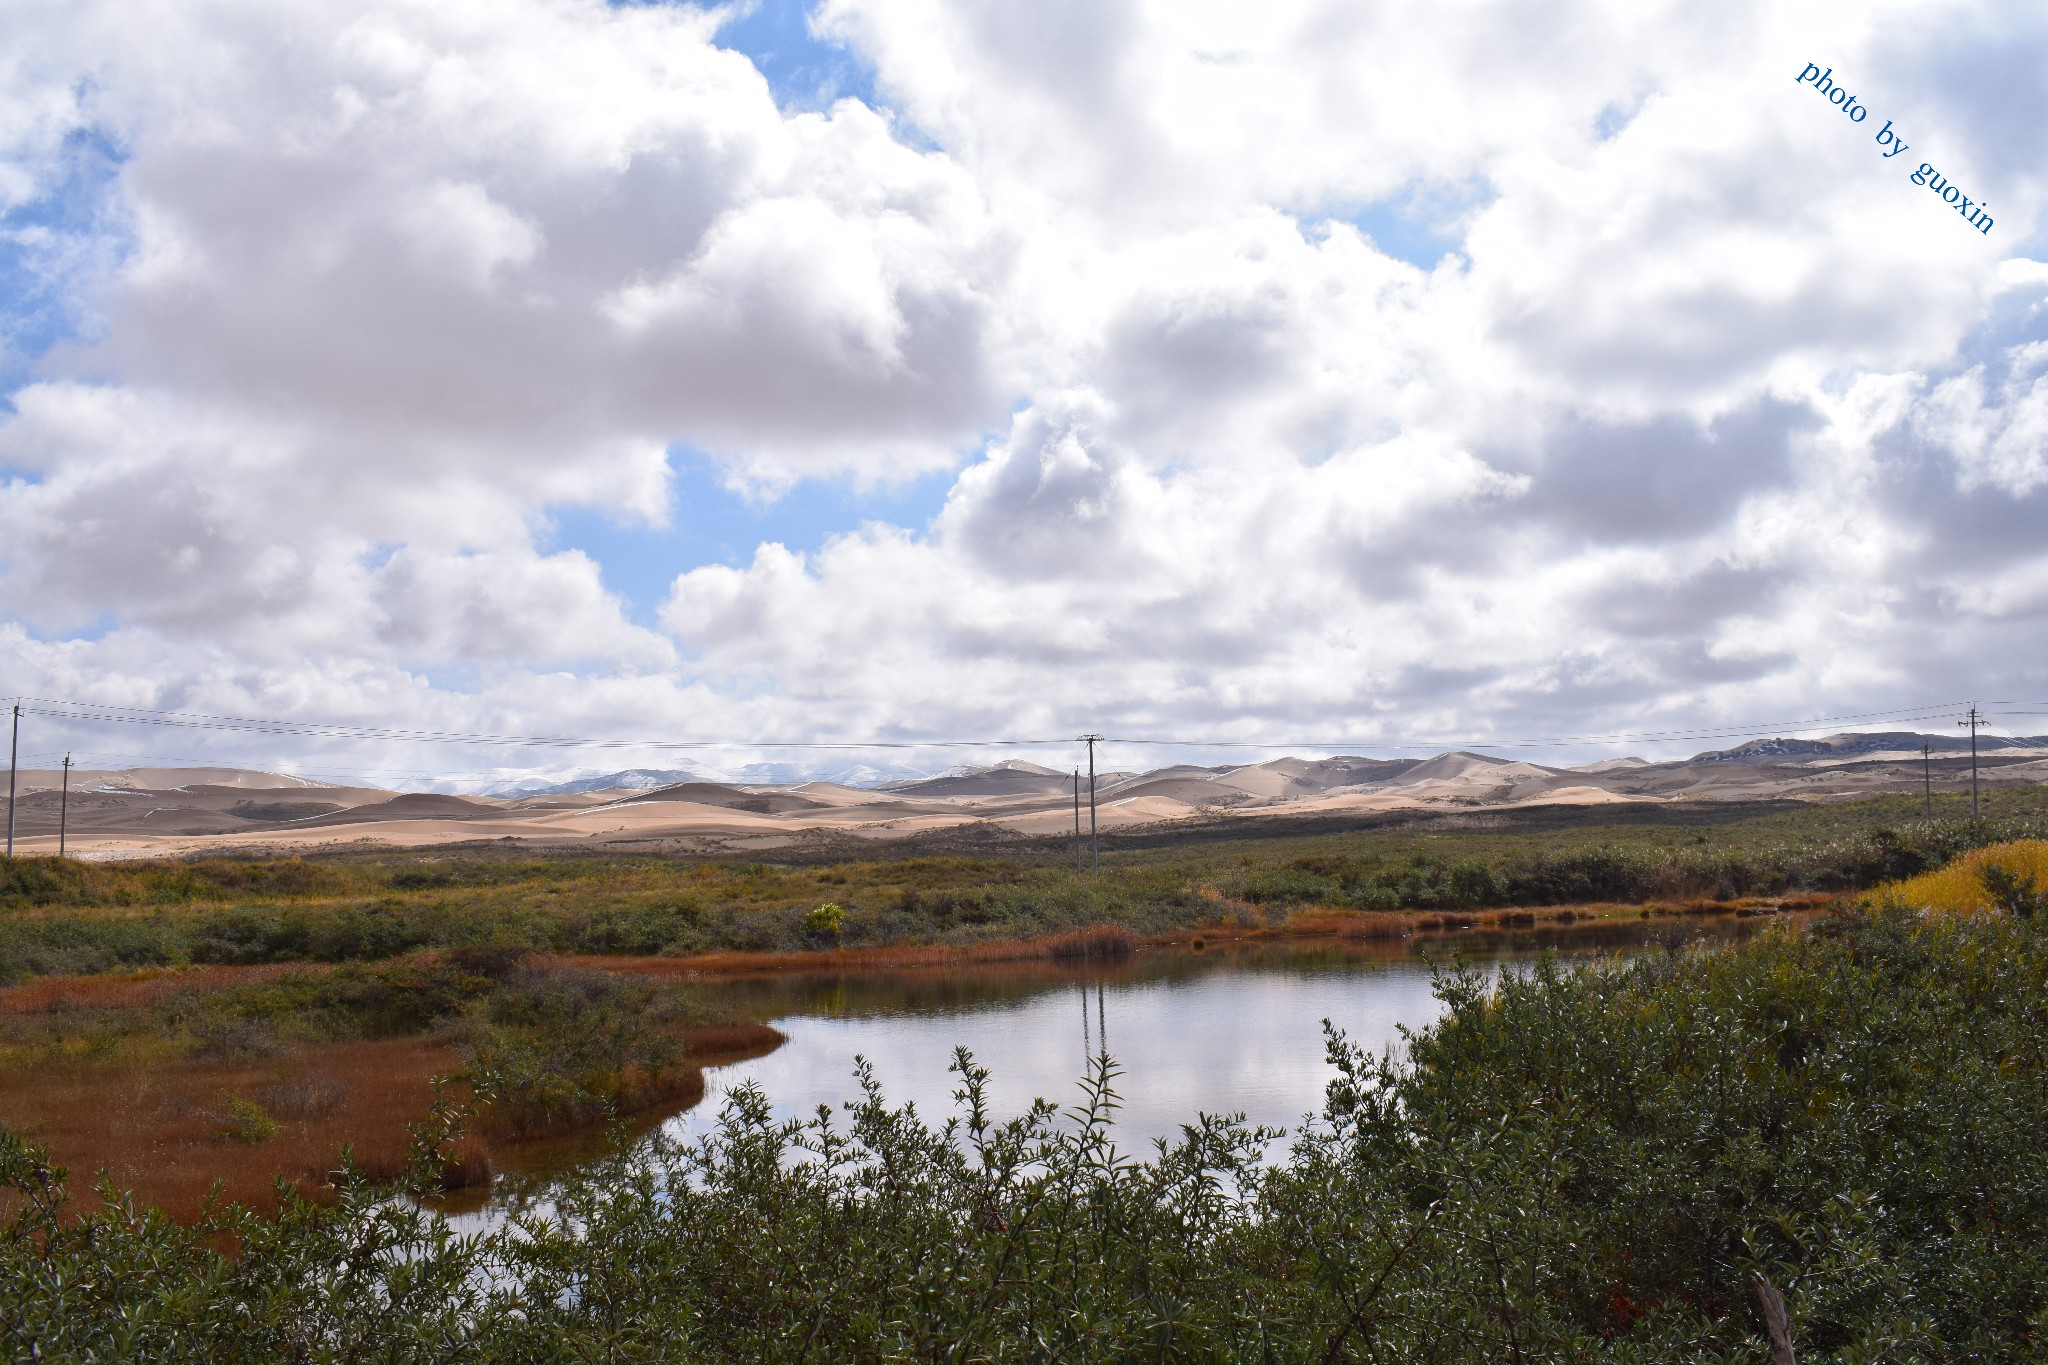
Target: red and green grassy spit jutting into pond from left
[(173, 1082)]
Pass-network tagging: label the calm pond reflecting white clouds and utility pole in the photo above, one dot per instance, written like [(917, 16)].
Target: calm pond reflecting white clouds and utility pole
[(1193, 1032)]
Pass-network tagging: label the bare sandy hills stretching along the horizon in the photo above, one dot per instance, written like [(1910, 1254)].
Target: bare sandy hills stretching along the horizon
[(691, 807)]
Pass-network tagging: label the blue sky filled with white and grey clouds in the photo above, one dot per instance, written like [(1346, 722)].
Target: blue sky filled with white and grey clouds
[(1435, 376)]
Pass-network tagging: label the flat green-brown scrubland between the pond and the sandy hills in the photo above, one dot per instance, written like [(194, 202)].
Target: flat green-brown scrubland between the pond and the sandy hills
[(69, 918)]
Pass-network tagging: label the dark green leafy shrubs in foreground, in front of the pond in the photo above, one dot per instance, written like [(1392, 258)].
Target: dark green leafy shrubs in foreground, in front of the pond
[(1592, 1163)]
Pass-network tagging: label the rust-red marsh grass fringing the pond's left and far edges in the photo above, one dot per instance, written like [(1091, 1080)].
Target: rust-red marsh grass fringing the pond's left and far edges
[(159, 1133)]
